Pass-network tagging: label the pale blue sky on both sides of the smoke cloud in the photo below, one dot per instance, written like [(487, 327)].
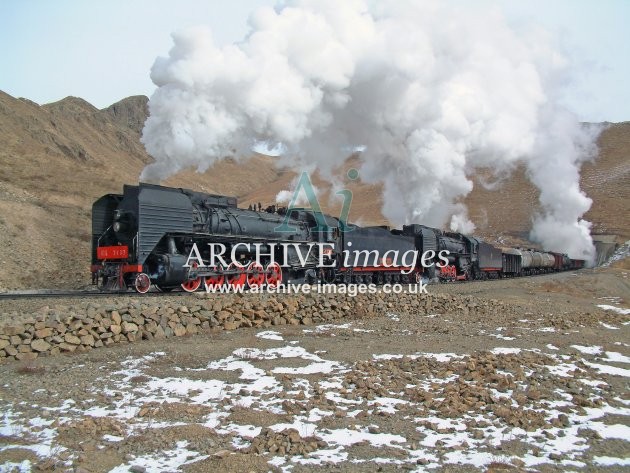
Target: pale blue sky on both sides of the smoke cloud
[(103, 50)]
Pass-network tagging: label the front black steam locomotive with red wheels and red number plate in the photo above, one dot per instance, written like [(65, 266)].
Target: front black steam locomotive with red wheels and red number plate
[(145, 236)]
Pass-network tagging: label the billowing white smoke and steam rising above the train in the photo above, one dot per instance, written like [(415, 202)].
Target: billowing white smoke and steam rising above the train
[(429, 93)]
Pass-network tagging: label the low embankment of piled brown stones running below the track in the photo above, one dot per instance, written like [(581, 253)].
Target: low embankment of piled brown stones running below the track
[(88, 325)]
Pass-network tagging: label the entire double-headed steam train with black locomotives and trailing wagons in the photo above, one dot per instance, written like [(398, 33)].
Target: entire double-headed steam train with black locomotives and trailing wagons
[(145, 237)]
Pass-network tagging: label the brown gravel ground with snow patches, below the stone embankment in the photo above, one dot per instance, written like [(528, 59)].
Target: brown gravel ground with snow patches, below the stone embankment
[(541, 387)]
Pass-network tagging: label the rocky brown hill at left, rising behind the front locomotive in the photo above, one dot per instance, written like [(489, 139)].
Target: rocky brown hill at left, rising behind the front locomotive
[(55, 160)]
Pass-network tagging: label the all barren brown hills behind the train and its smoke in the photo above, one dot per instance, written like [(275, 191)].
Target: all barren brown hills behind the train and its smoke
[(55, 159)]
